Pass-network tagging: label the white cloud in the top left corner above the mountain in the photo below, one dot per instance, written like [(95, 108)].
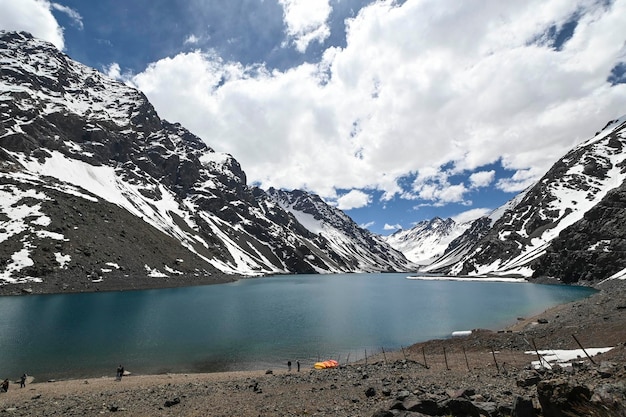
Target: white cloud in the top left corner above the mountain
[(33, 16)]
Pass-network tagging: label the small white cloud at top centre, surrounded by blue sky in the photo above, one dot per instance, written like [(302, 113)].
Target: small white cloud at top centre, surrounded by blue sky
[(306, 21)]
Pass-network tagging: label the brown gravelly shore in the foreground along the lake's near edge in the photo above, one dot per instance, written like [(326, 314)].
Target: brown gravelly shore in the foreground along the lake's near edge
[(454, 364)]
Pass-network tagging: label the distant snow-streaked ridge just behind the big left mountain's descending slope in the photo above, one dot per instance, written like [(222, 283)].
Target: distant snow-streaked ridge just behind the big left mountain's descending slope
[(363, 250)]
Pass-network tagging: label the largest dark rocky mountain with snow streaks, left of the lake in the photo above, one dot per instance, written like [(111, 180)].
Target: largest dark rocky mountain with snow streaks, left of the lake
[(94, 185)]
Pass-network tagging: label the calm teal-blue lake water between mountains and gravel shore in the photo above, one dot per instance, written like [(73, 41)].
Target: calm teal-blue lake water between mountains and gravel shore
[(251, 324)]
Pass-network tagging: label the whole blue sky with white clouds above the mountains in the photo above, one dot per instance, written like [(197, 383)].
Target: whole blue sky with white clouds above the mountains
[(393, 111)]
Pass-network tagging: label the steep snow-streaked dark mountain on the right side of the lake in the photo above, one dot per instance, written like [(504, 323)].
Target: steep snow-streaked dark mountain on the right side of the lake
[(570, 225)]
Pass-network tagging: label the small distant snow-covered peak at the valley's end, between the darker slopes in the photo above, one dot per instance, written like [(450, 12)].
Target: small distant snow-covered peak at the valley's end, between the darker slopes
[(427, 240)]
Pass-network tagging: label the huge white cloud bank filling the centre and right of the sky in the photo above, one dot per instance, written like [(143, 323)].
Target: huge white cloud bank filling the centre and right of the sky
[(419, 86)]
